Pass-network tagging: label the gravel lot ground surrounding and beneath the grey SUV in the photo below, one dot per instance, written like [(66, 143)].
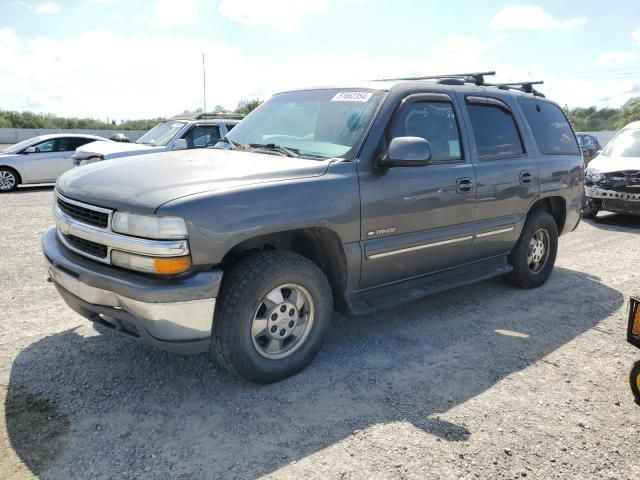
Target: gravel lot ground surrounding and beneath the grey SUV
[(480, 382)]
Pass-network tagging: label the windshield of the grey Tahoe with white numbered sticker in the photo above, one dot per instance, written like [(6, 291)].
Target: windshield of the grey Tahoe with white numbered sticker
[(313, 124)]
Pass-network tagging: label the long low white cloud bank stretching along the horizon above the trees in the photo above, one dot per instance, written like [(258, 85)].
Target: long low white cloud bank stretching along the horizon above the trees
[(106, 84)]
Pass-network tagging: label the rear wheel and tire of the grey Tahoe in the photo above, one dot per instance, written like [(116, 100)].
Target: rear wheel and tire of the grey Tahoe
[(526, 272)]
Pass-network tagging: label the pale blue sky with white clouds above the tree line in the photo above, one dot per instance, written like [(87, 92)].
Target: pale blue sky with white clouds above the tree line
[(124, 59)]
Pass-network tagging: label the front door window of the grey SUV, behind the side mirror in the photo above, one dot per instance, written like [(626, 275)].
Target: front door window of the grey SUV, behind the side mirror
[(435, 122)]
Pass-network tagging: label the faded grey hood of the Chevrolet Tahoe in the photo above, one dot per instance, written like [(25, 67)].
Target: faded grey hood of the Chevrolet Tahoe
[(143, 183)]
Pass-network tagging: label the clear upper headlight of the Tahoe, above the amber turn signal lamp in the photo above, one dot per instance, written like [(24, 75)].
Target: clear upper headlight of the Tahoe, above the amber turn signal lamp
[(160, 228)]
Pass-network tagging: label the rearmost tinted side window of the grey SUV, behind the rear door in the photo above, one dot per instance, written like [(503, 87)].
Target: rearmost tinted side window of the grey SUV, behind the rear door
[(550, 128)]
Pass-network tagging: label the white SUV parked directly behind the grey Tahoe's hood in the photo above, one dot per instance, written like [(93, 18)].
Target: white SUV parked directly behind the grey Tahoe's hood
[(177, 133)]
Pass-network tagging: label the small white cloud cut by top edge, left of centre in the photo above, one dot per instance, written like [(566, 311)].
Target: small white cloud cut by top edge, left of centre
[(280, 14)]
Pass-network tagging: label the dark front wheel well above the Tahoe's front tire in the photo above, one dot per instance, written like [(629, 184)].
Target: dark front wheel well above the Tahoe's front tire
[(320, 245)]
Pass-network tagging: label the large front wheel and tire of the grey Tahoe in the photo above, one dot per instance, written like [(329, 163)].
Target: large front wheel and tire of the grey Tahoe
[(267, 357)]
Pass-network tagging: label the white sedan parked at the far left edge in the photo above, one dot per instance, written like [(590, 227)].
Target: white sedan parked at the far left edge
[(39, 159)]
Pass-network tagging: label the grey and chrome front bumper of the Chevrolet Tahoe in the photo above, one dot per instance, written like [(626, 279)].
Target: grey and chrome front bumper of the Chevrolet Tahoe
[(173, 314)]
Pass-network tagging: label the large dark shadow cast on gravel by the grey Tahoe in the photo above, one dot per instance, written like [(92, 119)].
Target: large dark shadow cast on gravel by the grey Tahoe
[(114, 408)]
